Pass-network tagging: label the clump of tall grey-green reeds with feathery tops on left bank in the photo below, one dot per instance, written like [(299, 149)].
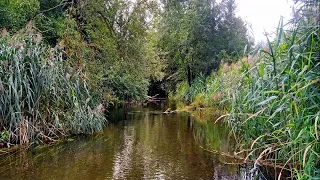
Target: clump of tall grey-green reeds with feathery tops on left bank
[(41, 96)]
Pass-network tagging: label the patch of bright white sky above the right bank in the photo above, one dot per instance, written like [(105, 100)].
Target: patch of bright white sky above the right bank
[(264, 15)]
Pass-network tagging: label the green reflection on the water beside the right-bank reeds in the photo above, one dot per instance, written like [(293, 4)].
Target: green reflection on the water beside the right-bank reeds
[(214, 138)]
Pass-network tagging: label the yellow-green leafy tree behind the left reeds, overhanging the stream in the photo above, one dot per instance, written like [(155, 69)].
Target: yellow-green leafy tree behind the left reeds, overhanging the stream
[(122, 34)]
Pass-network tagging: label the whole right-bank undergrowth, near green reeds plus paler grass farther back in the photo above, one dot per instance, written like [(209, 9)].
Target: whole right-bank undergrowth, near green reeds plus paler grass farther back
[(272, 100)]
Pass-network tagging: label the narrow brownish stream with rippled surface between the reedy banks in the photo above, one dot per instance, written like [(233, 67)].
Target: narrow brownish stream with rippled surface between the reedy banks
[(143, 143)]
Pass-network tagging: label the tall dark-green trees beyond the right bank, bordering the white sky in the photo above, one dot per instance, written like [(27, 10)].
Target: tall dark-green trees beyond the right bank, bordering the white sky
[(196, 35)]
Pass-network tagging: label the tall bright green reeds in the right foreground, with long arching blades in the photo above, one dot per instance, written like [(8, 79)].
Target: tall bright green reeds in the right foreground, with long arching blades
[(281, 99)]
